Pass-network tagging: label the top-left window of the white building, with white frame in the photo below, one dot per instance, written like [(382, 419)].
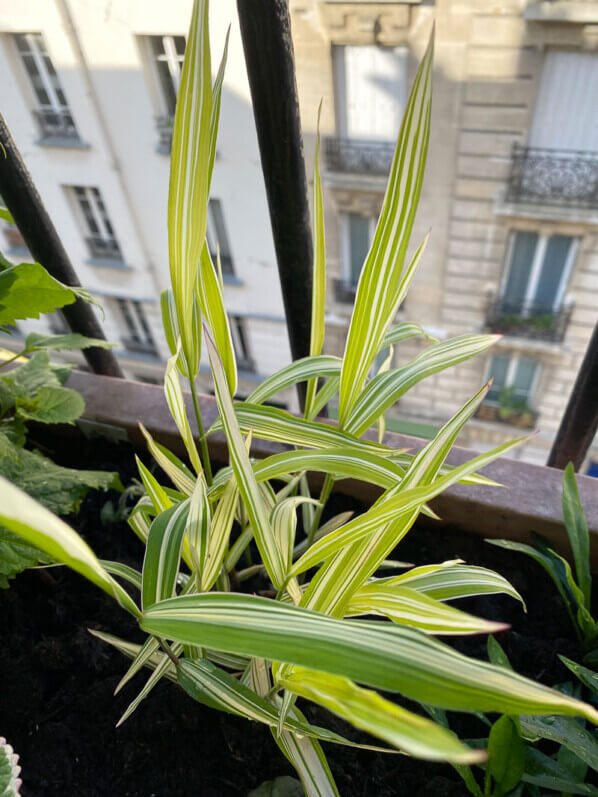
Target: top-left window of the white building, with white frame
[(52, 111)]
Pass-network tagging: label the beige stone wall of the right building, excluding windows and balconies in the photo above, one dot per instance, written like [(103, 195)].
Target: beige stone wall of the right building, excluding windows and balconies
[(488, 61)]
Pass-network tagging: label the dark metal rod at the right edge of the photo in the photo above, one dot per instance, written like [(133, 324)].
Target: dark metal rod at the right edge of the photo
[(580, 421)]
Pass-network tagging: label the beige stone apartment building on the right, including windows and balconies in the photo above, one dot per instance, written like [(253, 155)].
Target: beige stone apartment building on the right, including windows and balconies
[(511, 191)]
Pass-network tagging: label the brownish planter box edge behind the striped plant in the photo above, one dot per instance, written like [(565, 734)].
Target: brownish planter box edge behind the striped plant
[(530, 503)]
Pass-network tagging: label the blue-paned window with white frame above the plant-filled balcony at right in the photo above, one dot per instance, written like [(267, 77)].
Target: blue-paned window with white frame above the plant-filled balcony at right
[(537, 273)]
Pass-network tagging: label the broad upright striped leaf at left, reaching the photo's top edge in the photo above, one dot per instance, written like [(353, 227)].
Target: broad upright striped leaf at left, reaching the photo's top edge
[(189, 171)]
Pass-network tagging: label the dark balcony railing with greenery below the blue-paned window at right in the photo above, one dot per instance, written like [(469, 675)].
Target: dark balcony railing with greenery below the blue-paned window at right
[(528, 319)]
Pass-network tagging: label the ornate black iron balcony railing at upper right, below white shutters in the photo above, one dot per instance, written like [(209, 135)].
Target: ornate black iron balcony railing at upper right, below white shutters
[(553, 177)]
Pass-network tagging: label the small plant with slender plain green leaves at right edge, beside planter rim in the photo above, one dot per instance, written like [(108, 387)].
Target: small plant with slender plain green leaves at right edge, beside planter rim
[(574, 585)]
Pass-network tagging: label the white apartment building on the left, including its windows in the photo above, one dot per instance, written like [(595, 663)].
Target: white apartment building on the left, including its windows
[(88, 91)]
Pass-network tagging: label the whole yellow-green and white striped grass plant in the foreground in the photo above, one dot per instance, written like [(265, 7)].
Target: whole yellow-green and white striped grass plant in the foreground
[(254, 656)]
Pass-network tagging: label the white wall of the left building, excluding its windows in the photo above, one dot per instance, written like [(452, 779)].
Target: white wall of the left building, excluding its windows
[(105, 67)]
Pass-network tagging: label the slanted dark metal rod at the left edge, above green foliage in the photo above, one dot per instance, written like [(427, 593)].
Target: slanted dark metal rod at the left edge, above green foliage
[(34, 223)]
